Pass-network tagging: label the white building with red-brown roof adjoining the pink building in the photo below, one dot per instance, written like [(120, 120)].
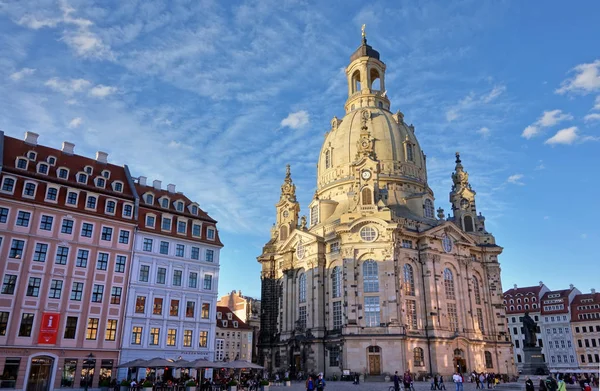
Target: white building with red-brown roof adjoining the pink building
[(171, 305)]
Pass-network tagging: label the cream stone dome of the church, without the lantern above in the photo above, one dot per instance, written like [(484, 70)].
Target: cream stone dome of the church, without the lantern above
[(394, 144)]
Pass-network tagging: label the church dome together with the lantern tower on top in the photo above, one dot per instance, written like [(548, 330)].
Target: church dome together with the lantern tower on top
[(393, 143)]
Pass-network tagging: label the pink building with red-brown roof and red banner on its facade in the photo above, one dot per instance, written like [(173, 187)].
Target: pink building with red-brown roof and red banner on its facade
[(66, 233)]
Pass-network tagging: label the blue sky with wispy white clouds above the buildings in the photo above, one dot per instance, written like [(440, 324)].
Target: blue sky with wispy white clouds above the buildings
[(217, 97)]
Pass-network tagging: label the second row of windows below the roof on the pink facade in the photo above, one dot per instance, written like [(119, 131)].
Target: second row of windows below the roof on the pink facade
[(17, 248)]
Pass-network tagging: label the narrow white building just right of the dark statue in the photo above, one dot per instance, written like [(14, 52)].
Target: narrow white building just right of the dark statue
[(556, 330)]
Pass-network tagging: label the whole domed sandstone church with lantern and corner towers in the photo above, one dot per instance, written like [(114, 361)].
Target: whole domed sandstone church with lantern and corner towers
[(376, 280)]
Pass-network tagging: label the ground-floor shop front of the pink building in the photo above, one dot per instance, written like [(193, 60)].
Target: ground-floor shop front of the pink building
[(48, 369)]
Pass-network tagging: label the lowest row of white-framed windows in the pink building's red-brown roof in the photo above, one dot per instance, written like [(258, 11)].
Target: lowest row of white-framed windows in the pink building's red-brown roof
[(71, 199)]
